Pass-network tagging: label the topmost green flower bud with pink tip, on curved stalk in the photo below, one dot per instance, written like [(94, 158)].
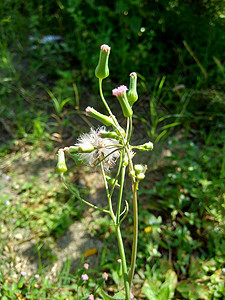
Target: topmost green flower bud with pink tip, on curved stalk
[(102, 69)]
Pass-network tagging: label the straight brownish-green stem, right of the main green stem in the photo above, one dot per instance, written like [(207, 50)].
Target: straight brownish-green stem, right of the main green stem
[(135, 232)]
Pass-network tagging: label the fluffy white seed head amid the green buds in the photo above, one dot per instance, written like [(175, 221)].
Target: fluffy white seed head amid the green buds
[(105, 149)]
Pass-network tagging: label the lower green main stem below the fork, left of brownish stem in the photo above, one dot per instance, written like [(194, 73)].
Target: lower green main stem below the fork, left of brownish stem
[(124, 264)]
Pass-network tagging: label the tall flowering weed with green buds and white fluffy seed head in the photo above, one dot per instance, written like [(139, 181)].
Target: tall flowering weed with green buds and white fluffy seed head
[(106, 149)]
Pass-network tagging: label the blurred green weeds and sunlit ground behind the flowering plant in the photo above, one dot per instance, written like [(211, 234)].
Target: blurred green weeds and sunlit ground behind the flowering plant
[(49, 52)]
